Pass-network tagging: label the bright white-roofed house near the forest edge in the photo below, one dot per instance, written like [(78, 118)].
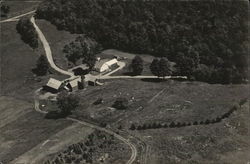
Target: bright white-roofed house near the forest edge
[(105, 65)]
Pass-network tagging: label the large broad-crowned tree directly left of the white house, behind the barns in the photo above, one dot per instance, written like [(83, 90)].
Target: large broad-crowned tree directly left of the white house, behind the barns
[(82, 48)]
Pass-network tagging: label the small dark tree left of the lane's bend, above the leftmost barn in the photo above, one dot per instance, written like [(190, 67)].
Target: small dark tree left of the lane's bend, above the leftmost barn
[(42, 66)]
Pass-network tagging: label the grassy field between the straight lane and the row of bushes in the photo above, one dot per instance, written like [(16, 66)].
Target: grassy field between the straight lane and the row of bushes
[(160, 101)]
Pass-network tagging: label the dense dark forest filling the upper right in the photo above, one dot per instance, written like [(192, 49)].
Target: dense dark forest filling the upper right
[(207, 40)]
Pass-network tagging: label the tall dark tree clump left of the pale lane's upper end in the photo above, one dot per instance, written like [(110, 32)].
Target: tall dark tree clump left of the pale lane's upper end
[(28, 33)]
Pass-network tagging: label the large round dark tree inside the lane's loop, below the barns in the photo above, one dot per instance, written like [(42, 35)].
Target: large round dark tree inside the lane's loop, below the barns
[(67, 102)]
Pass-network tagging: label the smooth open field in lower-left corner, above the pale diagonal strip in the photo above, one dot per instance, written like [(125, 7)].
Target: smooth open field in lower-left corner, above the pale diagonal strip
[(23, 128)]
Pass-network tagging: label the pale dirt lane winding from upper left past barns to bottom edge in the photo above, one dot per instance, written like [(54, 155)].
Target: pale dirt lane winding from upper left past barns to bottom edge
[(52, 64)]
